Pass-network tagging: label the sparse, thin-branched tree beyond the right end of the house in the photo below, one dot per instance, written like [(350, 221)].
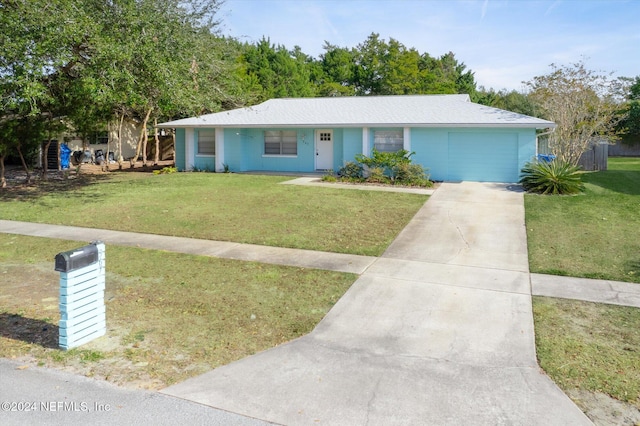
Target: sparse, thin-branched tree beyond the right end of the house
[(582, 104)]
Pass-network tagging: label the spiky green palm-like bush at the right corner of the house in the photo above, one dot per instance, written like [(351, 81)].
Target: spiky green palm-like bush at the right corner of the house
[(555, 177)]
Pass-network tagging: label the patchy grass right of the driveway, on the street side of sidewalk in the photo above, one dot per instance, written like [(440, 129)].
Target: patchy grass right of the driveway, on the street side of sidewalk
[(591, 351)]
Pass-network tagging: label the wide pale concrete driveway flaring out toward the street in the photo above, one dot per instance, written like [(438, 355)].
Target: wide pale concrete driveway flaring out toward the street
[(438, 330)]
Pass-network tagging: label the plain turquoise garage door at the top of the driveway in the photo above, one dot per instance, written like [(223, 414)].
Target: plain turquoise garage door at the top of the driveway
[(483, 157)]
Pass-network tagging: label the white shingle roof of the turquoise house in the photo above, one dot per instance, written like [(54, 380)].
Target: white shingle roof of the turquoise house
[(365, 111)]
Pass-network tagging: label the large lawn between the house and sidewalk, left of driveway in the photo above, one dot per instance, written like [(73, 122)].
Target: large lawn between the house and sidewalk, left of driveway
[(226, 207)]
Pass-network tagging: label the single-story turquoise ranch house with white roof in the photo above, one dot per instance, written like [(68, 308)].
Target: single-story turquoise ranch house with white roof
[(452, 137)]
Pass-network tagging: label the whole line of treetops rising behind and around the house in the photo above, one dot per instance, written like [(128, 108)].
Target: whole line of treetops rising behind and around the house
[(86, 63)]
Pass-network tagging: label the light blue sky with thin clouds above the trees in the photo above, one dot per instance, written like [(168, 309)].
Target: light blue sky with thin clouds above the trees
[(504, 42)]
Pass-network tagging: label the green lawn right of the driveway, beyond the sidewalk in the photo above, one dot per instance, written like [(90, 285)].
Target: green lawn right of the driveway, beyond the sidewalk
[(593, 235)]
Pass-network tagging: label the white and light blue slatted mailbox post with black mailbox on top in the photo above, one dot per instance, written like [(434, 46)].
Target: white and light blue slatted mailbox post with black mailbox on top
[(82, 283)]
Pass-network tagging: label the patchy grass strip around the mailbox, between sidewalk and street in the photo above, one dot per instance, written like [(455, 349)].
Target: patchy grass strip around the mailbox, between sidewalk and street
[(169, 316)]
